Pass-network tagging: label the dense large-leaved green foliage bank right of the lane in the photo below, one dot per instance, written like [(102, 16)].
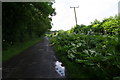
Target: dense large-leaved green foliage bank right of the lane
[(94, 49)]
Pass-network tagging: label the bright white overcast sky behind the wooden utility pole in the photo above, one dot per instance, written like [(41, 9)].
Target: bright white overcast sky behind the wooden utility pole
[(88, 11)]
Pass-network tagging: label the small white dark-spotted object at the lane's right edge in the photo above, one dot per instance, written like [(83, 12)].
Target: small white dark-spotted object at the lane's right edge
[(59, 68)]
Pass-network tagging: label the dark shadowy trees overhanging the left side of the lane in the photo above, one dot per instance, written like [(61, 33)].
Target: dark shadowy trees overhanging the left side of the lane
[(24, 21)]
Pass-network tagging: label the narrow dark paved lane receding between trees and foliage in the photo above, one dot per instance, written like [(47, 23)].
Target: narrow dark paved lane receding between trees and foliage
[(36, 62)]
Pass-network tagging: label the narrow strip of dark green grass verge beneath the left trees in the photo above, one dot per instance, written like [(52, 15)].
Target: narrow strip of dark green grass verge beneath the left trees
[(17, 49)]
